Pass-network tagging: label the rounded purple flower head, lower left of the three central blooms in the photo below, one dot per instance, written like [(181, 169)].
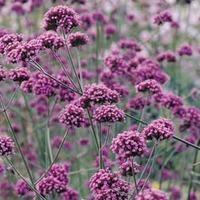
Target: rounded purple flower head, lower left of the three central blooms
[(72, 115)]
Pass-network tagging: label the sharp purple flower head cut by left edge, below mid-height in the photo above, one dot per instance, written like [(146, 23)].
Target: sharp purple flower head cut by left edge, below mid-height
[(6, 145)]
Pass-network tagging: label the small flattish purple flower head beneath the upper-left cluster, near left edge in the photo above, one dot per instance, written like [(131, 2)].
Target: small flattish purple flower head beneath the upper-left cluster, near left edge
[(19, 74)]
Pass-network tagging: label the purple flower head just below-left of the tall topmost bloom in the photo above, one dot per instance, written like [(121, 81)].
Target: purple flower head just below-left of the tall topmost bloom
[(51, 40)]
